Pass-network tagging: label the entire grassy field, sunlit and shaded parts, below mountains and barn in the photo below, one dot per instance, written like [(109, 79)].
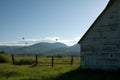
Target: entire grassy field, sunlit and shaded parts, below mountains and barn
[(25, 69)]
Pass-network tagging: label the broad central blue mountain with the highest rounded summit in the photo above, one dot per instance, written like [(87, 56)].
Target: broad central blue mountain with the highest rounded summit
[(39, 48)]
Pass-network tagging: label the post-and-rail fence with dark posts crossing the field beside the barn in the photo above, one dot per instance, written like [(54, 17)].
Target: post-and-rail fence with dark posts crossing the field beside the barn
[(46, 60)]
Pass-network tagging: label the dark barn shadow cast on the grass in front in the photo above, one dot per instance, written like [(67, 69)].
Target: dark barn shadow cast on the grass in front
[(87, 74)]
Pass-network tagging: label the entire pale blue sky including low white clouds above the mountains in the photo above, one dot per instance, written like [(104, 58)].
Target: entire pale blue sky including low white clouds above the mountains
[(34, 21)]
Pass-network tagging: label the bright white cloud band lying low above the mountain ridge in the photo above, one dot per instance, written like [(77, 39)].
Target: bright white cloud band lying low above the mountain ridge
[(27, 42)]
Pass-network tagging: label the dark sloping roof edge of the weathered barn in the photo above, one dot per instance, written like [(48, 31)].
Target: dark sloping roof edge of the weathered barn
[(107, 7)]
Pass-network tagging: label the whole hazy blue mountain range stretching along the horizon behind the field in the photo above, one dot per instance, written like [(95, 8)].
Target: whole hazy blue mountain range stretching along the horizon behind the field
[(43, 48)]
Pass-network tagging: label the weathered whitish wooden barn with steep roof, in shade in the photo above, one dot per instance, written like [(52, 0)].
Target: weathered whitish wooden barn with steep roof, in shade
[(100, 45)]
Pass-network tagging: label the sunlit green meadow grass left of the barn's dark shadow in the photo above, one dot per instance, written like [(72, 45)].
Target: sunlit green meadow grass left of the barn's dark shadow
[(42, 71)]
